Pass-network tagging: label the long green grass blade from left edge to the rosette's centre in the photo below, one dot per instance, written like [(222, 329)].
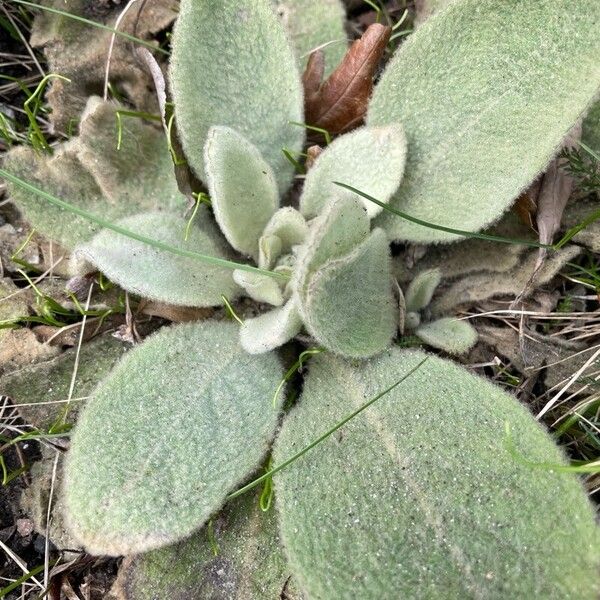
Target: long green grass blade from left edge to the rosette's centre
[(211, 260)]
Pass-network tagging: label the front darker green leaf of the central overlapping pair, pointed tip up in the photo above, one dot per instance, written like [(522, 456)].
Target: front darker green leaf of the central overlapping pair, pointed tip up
[(349, 307)]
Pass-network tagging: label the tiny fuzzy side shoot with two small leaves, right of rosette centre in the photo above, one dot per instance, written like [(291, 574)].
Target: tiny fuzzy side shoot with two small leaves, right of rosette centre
[(447, 333)]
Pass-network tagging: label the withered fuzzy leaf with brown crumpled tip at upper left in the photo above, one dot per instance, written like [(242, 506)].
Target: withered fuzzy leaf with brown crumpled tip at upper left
[(91, 173)]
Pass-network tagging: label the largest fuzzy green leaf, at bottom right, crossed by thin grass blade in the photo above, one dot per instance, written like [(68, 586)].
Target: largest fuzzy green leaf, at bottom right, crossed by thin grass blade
[(422, 496)]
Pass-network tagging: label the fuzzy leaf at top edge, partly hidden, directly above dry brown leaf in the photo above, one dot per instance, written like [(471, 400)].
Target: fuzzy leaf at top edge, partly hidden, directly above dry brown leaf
[(315, 24)]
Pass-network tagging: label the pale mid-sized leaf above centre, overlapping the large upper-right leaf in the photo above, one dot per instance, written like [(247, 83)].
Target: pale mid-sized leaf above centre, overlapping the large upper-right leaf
[(371, 159)]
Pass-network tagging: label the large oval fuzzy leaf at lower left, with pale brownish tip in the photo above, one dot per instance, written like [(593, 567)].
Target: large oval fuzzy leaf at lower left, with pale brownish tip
[(181, 421)]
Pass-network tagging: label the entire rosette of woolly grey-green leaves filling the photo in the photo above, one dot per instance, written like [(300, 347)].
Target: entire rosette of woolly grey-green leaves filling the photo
[(366, 503)]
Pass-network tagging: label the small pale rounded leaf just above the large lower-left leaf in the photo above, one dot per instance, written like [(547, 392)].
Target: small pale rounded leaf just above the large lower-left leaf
[(271, 329)]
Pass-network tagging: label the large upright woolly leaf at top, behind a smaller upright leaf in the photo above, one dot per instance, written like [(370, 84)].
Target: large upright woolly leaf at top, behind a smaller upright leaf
[(231, 65)]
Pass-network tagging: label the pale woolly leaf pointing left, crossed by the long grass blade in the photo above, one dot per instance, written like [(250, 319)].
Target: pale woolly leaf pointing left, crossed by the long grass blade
[(152, 273)]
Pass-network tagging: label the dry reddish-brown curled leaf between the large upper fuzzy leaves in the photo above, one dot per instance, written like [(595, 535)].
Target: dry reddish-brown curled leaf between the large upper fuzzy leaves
[(340, 103)]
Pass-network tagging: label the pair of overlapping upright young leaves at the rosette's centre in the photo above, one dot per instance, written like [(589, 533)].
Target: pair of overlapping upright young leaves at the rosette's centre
[(342, 282)]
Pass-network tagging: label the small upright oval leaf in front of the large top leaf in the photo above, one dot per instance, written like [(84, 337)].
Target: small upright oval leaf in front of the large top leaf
[(242, 188)]
